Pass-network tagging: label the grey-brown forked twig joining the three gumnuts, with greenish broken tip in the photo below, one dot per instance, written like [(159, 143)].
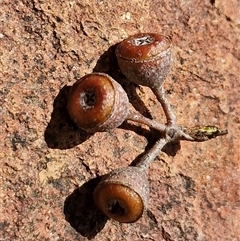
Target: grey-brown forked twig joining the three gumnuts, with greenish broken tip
[(171, 131)]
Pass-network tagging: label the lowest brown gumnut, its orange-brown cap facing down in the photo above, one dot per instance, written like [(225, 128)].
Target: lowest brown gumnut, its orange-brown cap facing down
[(123, 194)]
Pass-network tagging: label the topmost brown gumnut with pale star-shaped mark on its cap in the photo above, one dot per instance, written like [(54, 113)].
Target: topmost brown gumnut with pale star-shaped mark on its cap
[(145, 58)]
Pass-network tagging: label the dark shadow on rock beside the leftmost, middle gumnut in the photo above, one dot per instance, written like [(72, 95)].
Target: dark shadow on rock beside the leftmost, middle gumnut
[(61, 132)]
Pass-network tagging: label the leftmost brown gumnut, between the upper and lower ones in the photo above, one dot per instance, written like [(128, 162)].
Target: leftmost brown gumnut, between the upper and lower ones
[(97, 102)]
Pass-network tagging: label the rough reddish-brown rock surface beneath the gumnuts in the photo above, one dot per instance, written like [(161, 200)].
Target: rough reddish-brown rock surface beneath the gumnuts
[(49, 168)]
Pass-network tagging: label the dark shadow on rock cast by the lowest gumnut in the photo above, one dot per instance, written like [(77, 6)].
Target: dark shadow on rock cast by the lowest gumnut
[(81, 212)]
